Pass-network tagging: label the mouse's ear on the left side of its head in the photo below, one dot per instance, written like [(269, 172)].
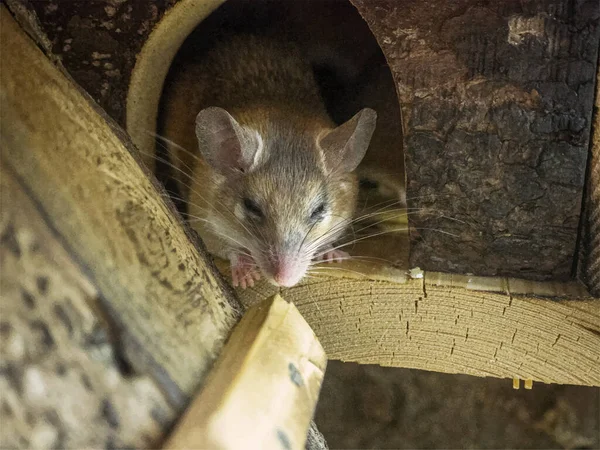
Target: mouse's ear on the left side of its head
[(223, 142)]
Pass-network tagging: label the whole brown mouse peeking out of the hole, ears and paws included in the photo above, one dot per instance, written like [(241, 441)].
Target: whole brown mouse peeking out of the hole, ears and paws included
[(267, 176)]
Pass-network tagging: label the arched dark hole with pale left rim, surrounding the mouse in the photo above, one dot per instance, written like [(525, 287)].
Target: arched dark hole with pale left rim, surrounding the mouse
[(348, 63)]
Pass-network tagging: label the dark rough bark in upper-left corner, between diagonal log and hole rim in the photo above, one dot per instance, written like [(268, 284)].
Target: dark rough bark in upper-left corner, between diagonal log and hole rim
[(98, 41)]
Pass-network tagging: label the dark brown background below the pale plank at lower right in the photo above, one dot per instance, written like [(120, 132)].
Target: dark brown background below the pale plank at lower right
[(365, 406)]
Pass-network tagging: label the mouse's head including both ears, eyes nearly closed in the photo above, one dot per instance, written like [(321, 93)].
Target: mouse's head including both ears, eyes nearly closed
[(289, 191)]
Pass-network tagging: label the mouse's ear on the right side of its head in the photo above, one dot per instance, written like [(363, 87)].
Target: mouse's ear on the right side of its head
[(345, 146)]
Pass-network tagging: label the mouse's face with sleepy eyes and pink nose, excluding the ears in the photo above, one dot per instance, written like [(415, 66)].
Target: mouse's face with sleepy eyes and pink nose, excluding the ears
[(291, 215)]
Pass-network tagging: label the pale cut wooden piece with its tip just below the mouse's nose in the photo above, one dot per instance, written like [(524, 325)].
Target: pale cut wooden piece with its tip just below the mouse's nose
[(264, 387)]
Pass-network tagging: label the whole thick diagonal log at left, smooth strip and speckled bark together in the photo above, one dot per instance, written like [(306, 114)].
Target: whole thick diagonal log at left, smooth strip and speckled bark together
[(94, 264)]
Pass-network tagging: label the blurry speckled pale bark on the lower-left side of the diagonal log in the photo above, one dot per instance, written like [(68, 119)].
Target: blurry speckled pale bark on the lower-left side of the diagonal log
[(63, 383)]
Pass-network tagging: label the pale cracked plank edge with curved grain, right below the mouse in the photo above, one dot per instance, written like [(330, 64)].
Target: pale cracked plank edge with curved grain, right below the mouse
[(447, 327)]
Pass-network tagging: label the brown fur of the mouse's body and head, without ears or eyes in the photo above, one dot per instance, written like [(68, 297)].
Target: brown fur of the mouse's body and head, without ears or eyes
[(268, 87)]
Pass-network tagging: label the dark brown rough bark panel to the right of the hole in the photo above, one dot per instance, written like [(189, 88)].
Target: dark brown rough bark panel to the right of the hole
[(496, 99)]
